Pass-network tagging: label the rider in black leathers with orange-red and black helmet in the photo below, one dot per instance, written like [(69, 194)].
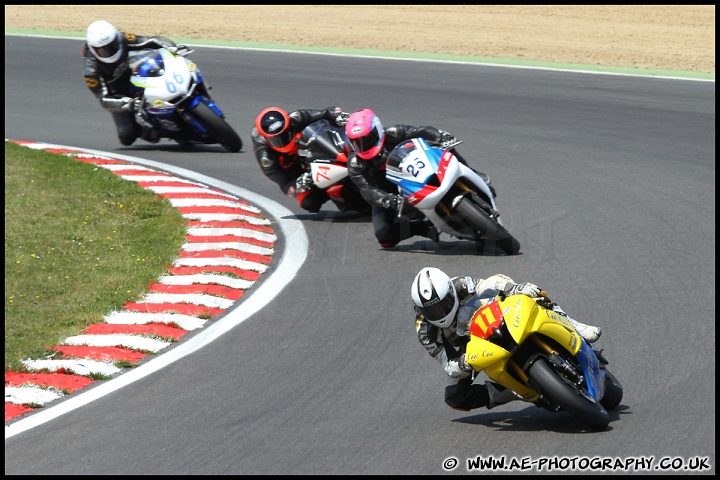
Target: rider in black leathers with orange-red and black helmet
[(275, 136)]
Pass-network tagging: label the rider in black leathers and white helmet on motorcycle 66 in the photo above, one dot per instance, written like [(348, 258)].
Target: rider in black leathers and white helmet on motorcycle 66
[(107, 75)]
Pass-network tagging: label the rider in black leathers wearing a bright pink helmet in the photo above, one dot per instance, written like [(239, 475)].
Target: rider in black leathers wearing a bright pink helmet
[(371, 146)]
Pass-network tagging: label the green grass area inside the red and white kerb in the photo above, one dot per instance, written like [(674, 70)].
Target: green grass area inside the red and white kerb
[(80, 242)]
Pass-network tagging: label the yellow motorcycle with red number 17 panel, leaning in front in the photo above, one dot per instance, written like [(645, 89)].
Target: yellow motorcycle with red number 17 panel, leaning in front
[(522, 344)]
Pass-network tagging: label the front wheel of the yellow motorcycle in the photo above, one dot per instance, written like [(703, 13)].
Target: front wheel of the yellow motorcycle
[(551, 385)]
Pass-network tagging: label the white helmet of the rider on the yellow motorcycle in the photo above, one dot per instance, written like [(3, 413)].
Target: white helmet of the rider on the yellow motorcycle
[(435, 297)]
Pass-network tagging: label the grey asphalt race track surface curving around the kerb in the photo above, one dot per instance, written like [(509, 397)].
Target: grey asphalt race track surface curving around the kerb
[(608, 181)]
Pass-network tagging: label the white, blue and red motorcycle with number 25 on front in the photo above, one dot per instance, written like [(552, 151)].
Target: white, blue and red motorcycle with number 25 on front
[(451, 195)]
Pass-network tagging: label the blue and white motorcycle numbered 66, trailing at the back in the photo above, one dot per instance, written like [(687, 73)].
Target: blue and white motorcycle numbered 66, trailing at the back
[(175, 100)]
